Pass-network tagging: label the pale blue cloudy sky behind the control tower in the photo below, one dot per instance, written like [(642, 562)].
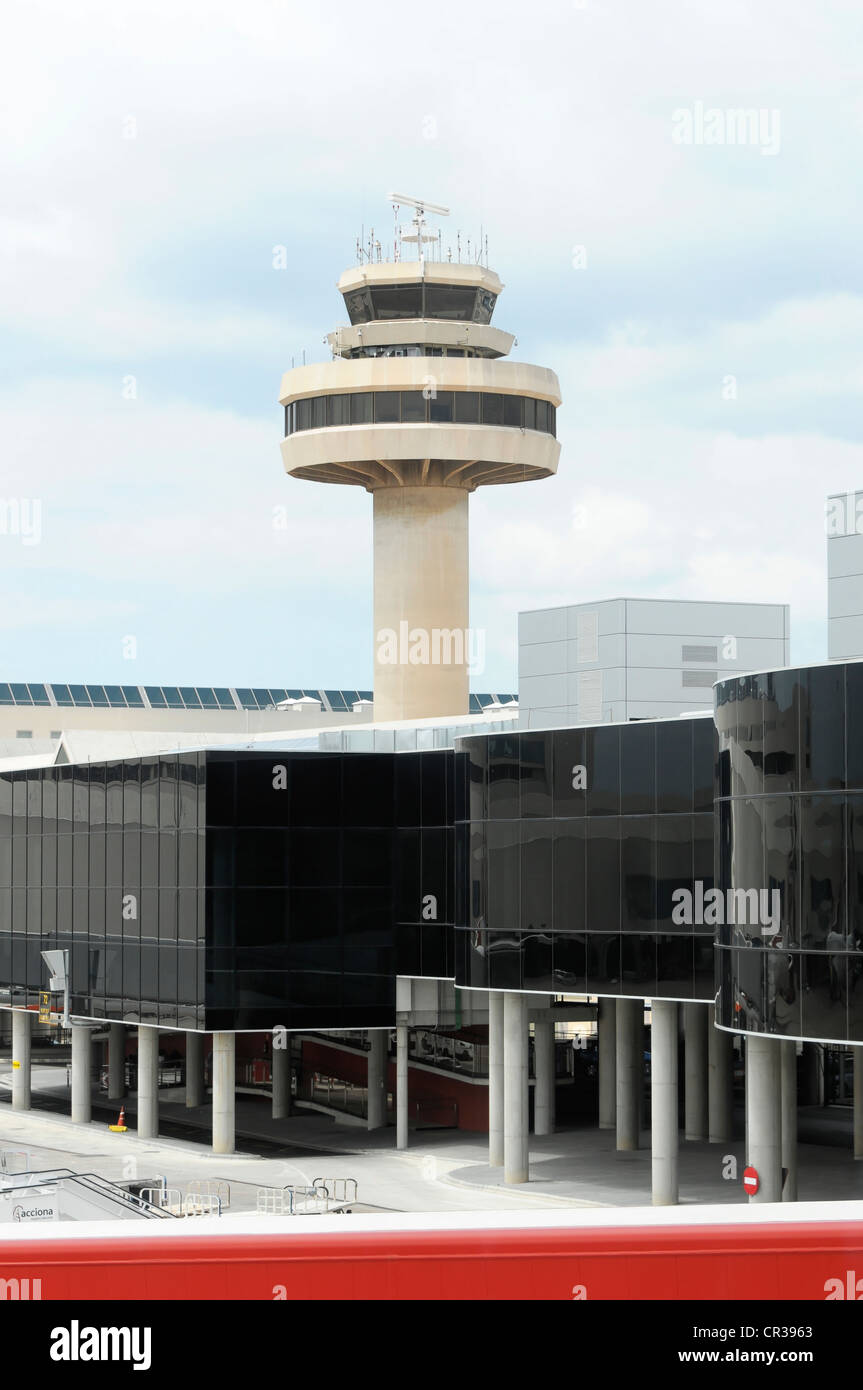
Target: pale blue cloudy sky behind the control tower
[(702, 305)]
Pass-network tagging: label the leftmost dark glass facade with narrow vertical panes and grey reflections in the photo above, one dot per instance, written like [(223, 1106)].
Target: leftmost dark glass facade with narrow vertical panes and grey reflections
[(108, 861)]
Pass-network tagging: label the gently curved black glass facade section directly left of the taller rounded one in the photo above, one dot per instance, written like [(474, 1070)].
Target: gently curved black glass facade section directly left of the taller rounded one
[(572, 846)]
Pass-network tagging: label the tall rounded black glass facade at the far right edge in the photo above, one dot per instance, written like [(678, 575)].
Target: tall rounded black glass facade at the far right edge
[(790, 833)]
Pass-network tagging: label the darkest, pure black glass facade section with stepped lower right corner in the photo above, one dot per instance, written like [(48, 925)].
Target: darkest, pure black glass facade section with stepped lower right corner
[(327, 876)]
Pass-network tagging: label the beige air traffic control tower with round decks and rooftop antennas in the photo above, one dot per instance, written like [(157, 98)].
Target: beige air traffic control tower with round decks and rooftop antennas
[(420, 408)]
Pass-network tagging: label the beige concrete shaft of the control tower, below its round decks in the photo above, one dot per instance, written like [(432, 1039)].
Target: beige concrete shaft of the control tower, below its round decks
[(420, 584)]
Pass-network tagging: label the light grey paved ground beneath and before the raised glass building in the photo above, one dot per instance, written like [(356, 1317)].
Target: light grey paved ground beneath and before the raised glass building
[(443, 1170)]
